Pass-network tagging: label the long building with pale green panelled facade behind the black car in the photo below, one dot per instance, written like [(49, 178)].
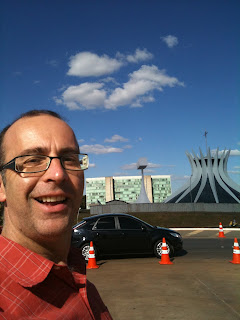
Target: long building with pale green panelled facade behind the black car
[(126, 188)]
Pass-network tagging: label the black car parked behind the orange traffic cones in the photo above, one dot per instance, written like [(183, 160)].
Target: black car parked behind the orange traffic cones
[(123, 234)]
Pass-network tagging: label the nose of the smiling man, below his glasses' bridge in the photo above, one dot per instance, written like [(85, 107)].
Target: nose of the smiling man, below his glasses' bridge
[(55, 172)]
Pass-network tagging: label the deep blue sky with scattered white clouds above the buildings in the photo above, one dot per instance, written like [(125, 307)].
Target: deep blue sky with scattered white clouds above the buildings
[(133, 78)]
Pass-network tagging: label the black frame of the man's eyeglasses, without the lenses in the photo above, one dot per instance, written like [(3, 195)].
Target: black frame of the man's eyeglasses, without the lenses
[(12, 163)]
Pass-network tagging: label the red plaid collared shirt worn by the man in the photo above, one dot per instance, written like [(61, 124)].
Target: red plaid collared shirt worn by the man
[(32, 287)]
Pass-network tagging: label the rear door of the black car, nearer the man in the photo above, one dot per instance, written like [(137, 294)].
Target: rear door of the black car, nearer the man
[(106, 236)]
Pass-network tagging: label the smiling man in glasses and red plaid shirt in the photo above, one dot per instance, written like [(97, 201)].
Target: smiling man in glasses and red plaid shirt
[(41, 186)]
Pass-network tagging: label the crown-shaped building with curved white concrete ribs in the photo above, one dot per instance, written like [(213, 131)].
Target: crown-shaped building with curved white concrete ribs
[(209, 181)]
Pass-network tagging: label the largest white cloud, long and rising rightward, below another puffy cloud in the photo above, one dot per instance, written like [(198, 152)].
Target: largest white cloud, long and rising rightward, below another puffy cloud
[(135, 92)]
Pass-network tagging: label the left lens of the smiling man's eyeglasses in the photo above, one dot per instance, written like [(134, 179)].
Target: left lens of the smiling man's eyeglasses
[(31, 163)]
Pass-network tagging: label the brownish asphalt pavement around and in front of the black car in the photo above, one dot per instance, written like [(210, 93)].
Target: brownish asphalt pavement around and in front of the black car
[(201, 284)]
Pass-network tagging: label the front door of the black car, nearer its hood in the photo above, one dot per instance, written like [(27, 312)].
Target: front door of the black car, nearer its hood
[(135, 236)]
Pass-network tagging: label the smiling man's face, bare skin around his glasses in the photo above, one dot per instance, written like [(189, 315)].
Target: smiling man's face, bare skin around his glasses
[(41, 206)]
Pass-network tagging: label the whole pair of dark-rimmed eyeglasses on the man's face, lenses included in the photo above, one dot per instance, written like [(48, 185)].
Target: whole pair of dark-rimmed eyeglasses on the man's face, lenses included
[(39, 163)]
